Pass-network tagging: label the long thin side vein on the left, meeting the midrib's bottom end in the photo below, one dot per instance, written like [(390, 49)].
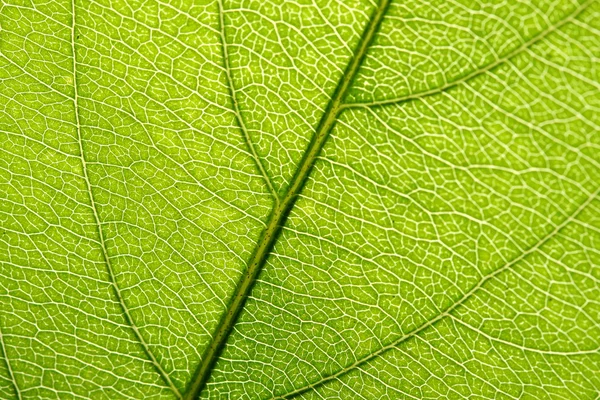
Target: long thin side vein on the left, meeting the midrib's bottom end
[(106, 258)]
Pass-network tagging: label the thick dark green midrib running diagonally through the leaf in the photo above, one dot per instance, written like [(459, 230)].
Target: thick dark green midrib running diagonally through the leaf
[(280, 212)]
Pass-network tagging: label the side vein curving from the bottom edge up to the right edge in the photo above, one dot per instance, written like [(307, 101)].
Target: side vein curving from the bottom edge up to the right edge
[(447, 312)]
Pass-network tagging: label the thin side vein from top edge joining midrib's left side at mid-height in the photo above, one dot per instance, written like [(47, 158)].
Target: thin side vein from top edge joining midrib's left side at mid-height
[(236, 108)]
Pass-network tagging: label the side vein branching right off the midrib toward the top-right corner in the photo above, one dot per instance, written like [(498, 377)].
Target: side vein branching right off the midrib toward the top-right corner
[(524, 47)]
